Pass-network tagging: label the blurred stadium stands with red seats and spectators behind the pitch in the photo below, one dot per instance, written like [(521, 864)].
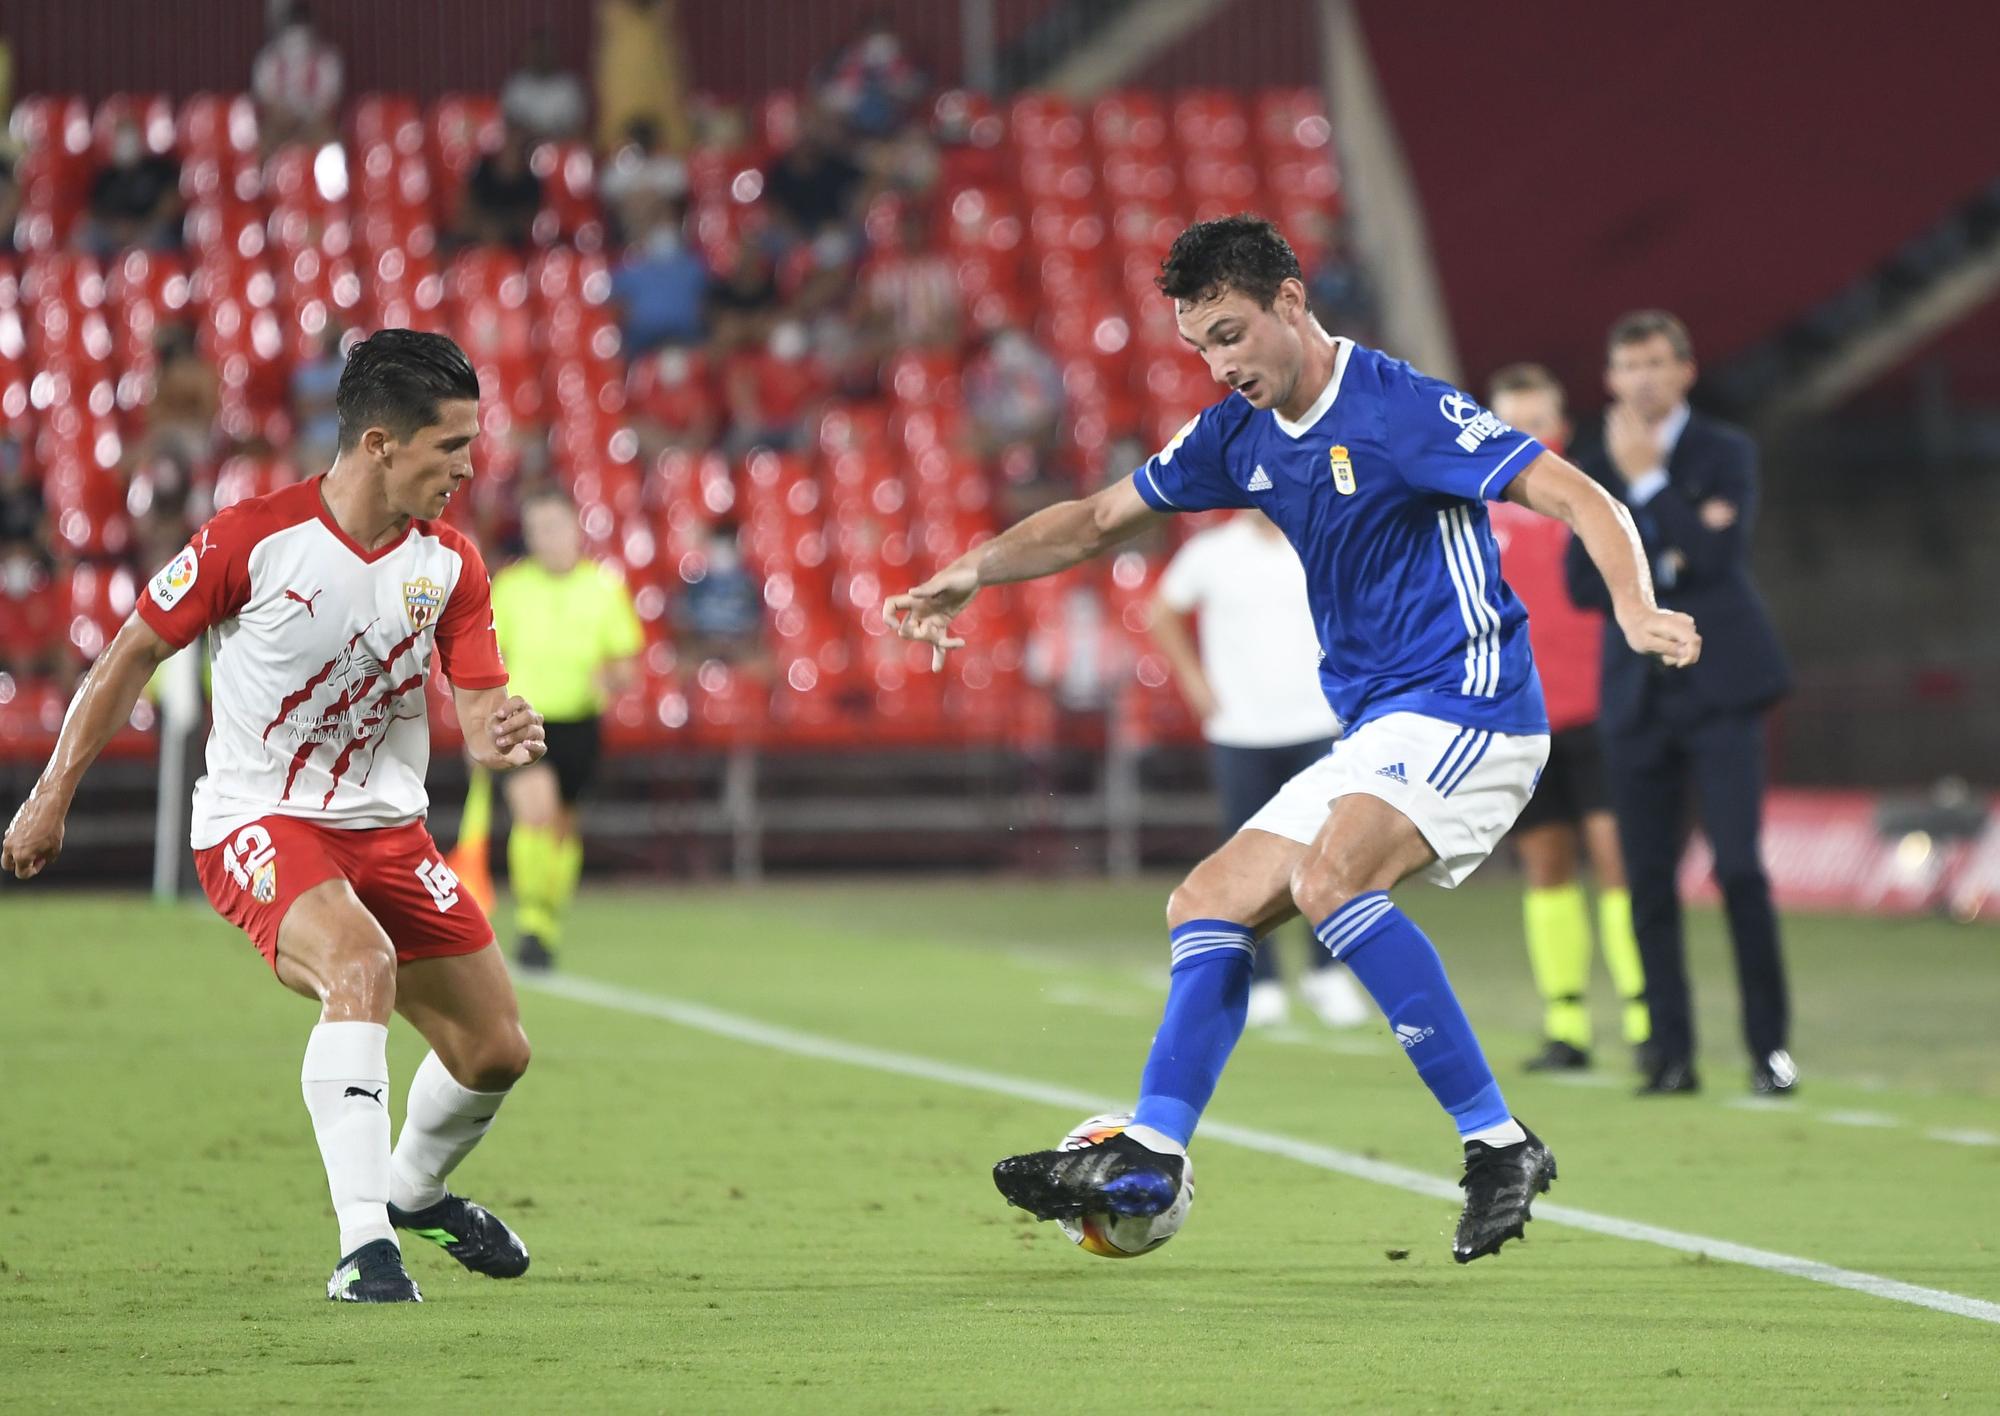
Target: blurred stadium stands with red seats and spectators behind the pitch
[(949, 321)]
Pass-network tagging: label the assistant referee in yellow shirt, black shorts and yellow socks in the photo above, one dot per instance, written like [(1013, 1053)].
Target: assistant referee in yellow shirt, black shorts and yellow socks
[(571, 641)]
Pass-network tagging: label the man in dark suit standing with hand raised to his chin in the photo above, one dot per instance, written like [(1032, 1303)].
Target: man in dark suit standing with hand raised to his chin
[(1693, 491)]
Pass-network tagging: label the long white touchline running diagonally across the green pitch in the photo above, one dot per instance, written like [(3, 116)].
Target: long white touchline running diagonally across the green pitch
[(765, 1035)]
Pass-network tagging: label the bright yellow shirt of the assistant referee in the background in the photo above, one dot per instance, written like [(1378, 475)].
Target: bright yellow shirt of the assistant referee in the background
[(559, 631)]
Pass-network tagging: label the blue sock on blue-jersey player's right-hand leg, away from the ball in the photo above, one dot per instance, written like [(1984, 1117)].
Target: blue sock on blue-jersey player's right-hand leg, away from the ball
[(1403, 973)]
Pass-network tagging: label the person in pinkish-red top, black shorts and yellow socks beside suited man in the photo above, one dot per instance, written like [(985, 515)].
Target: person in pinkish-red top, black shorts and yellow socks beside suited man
[(1569, 813)]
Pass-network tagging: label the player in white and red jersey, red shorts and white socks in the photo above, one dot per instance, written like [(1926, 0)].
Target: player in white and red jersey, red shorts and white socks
[(327, 603)]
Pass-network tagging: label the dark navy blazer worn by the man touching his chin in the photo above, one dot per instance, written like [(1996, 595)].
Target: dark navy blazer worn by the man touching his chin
[(1741, 669)]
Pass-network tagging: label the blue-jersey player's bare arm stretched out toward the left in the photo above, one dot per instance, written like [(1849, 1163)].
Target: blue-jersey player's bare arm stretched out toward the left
[(1043, 545)]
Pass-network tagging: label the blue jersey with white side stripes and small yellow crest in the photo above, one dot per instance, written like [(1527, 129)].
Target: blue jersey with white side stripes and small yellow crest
[(1383, 493)]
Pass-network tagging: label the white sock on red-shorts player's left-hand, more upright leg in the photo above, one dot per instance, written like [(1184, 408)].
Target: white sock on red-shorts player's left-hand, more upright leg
[(345, 1083)]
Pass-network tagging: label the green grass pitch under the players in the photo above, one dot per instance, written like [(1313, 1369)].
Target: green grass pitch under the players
[(727, 1227)]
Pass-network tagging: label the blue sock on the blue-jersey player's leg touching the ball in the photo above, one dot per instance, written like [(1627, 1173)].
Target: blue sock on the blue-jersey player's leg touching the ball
[(1207, 1001)]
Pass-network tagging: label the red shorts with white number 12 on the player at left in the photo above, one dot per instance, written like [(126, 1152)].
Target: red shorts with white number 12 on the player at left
[(397, 871)]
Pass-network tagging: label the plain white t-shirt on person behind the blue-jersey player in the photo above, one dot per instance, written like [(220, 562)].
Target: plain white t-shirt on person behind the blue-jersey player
[(1259, 647)]
